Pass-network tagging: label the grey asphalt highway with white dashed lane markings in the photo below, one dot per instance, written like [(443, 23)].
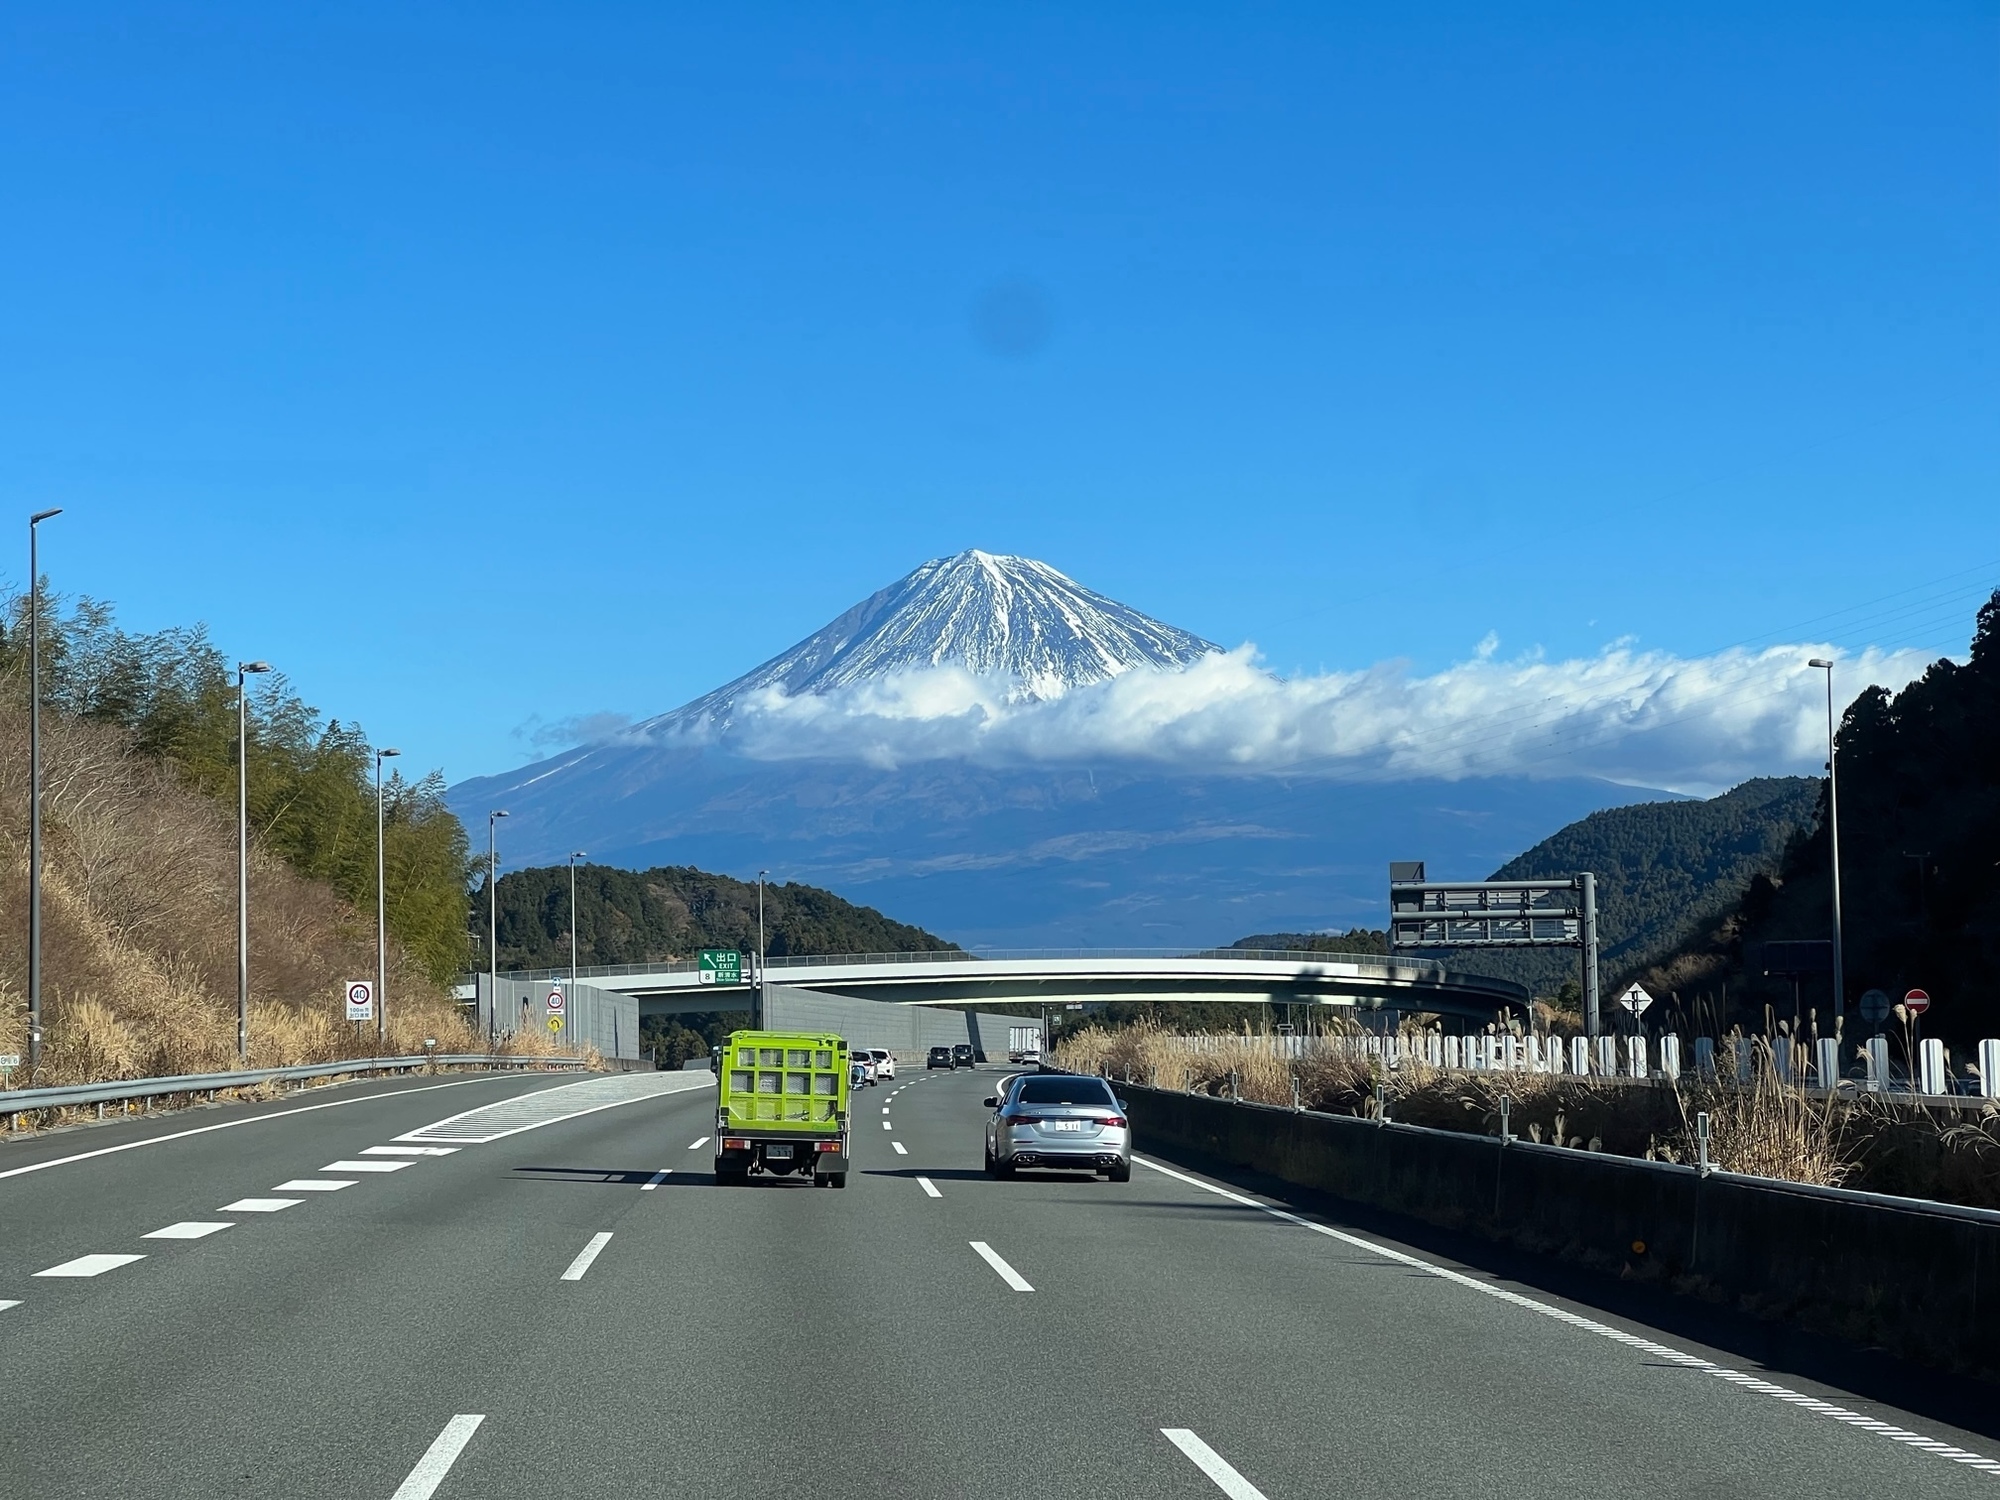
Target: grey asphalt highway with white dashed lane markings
[(549, 1297)]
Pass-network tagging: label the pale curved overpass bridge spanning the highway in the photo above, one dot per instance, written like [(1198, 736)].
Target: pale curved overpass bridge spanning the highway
[(1051, 977)]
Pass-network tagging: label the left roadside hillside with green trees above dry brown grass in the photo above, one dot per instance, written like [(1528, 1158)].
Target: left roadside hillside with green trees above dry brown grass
[(139, 897)]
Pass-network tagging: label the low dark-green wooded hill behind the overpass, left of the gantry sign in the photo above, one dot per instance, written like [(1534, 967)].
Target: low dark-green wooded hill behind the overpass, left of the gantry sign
[(631, 917)]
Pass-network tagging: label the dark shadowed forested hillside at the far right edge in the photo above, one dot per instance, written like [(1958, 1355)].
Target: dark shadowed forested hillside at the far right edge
[(1919, 861)]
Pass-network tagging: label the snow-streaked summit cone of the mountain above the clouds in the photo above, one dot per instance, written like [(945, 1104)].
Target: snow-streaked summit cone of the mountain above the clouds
[(991, 615)]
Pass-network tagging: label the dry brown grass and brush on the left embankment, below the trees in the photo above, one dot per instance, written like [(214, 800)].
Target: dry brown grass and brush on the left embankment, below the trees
[(139, 941)]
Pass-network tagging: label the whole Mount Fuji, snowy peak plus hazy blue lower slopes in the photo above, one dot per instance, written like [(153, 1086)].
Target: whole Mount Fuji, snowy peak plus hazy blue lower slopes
[(843, 763)]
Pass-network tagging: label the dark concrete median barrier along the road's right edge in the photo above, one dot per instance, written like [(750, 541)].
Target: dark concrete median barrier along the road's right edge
[(1913, 1277)]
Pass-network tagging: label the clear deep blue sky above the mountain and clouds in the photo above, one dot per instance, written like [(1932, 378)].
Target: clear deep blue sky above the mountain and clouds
[(495, 365)]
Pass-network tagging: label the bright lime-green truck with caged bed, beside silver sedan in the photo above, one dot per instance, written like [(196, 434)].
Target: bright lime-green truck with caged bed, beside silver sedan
[(783, 1107)]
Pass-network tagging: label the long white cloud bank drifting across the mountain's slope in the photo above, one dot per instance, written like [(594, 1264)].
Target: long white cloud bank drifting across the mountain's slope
[(1649, 719)]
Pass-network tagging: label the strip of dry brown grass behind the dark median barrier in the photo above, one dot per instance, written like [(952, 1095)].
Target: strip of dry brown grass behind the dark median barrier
[(1765, 1129)]
